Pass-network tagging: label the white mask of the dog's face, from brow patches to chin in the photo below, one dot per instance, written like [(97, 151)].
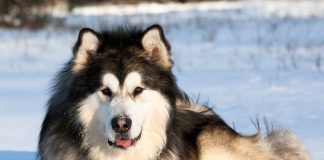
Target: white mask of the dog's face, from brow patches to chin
[(124, 106)]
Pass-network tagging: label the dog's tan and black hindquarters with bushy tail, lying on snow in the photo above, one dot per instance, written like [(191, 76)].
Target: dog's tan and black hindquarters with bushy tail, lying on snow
[(217, 141)]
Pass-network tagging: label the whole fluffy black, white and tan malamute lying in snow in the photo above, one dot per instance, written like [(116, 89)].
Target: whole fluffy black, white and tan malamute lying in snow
[(117, 99)]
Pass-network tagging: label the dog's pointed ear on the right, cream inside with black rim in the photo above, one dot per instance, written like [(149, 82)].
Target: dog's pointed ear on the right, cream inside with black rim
[(156, 46)]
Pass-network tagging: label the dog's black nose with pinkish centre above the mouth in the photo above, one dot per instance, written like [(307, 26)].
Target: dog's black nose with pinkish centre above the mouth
[(121, 124)]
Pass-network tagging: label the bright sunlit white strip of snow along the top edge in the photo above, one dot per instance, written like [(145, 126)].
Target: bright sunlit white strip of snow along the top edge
[(299, 8)]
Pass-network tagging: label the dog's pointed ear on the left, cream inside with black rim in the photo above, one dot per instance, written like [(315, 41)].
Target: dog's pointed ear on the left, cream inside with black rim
[(85, 48)]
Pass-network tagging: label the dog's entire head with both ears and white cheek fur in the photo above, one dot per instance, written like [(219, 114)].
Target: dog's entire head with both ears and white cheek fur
[(127, 83)]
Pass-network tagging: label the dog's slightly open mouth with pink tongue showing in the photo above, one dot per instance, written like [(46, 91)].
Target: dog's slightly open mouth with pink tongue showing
[(123, 141)]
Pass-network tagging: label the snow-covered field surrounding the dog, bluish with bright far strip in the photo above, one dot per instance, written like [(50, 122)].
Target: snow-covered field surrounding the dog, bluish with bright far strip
[(246, 59)]
